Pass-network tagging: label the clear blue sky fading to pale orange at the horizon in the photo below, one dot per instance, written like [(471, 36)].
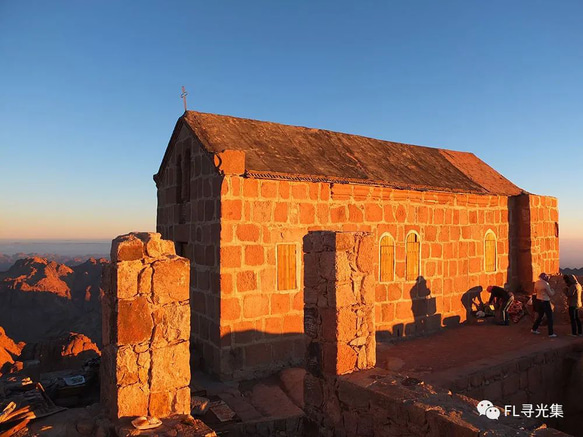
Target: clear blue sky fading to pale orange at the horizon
[(89, 93)]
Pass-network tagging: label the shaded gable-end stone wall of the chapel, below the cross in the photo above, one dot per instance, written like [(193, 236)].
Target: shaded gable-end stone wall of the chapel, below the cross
[(189, 214)]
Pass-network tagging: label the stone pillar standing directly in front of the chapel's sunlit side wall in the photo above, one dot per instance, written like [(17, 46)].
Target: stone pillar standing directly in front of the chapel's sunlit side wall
[(339, 297)]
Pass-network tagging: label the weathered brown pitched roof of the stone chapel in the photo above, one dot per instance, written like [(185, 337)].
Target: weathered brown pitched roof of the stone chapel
[(283, 151)]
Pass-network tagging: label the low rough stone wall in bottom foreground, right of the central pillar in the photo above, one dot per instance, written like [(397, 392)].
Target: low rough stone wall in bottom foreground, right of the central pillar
[(381, 403)]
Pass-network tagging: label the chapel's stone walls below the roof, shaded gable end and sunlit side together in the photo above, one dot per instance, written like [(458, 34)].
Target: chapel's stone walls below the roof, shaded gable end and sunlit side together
[(243, 232)]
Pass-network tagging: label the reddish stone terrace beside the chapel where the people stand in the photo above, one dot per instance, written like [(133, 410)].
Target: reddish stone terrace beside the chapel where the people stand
[(507, 365)]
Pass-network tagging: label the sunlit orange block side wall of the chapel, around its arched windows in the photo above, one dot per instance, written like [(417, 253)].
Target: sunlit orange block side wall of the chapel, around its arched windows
[(259, 214)]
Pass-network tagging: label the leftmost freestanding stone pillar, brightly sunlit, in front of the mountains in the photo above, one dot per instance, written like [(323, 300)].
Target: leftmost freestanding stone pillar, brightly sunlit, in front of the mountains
[(145, 366)]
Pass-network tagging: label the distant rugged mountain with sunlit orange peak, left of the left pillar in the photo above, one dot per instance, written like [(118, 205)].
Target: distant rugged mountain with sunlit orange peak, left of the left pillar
[(41, 299)]
